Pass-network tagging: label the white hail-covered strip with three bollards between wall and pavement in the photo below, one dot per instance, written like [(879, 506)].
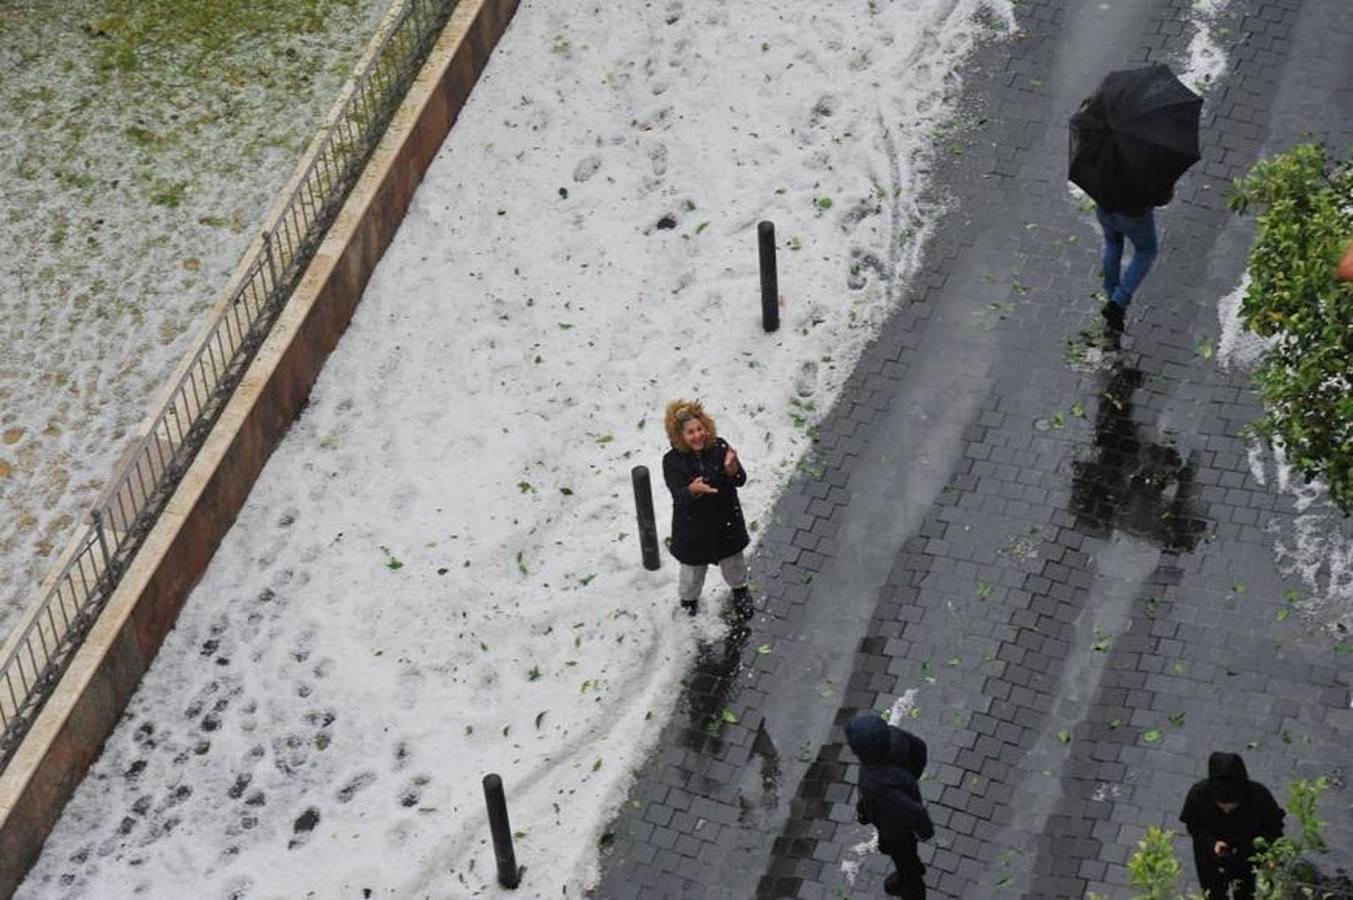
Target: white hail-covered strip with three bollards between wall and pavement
[(438, 575)]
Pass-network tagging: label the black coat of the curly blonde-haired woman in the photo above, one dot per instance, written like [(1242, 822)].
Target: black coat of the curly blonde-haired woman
[(706, 527)]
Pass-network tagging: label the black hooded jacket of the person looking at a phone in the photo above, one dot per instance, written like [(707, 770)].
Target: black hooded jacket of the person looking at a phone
[(1258, 817)]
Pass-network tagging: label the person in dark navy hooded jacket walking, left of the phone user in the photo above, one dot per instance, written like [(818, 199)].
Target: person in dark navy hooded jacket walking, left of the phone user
[(891, 763)]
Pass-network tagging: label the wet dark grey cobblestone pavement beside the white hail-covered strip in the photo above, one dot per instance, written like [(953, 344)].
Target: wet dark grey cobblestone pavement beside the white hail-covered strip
[(1057, 557)]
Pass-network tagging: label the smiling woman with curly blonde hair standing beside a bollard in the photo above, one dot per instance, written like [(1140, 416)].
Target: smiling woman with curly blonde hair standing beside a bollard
[(704, 474)]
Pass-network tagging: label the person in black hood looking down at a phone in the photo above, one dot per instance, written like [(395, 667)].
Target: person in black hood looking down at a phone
[(1225, 814)]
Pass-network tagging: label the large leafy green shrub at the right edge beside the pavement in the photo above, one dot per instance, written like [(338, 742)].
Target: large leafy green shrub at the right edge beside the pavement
[(1305, 221)]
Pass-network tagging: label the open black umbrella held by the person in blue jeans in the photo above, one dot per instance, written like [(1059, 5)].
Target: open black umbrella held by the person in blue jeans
[(1134, 137)]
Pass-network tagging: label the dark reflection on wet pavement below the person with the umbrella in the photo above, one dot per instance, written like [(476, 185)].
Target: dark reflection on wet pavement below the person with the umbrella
[(1132, 485)]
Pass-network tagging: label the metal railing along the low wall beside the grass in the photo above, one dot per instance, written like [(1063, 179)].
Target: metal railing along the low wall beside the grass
[(137, 493)]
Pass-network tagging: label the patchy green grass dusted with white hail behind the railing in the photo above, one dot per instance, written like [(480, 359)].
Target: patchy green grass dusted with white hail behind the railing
[(143, 141)]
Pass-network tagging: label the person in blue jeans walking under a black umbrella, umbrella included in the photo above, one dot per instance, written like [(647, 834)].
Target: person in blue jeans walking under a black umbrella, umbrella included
[(1130, 143)]
